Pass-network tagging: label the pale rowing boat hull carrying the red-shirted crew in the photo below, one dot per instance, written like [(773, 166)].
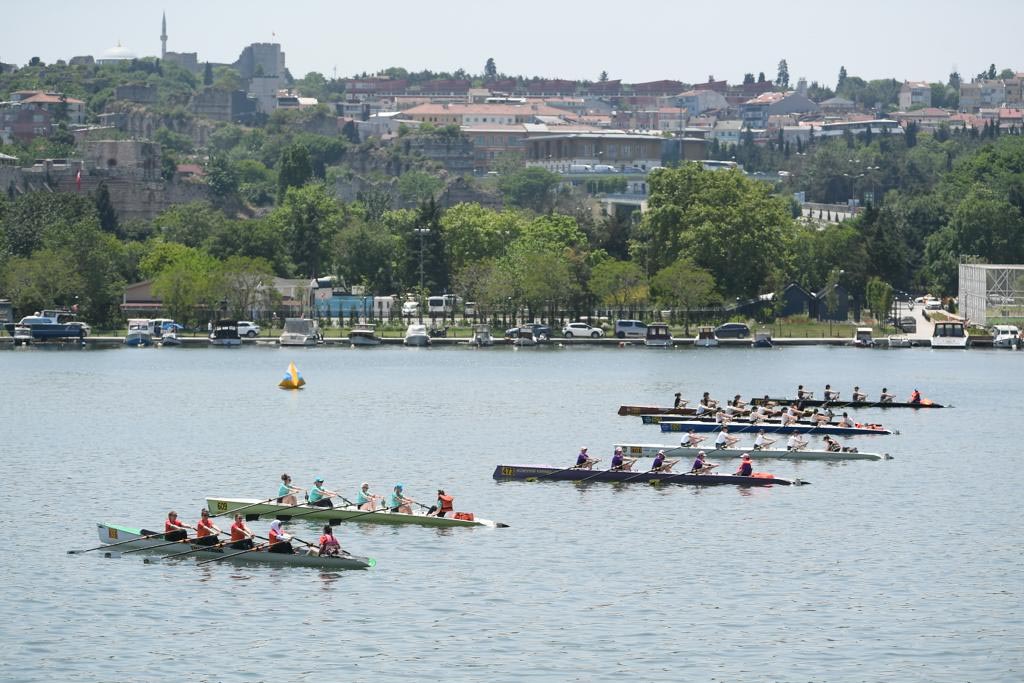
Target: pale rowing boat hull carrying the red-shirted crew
[(117, 534)]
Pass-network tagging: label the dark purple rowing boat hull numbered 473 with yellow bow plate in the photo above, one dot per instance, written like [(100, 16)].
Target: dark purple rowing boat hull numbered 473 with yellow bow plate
[(546, 473)]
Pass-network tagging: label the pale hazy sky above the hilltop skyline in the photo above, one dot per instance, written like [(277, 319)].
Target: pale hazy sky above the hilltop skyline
[(689, 41)]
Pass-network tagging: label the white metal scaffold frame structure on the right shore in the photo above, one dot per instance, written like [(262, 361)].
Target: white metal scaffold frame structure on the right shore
[(992, 293)]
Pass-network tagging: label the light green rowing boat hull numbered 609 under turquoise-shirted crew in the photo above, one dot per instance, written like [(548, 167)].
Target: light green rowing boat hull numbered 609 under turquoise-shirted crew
[(224, 506)]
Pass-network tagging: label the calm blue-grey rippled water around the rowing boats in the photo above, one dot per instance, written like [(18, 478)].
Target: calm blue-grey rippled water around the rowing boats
[(908, 570)]
